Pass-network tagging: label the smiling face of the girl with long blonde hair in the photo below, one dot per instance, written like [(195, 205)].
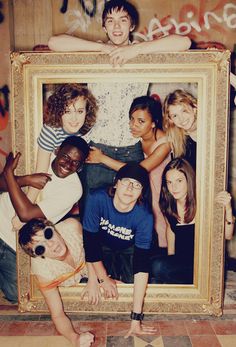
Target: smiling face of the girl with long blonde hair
[(183, 116)]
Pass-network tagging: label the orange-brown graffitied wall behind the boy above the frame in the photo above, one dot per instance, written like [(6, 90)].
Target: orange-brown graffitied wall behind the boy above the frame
[(203, 20)]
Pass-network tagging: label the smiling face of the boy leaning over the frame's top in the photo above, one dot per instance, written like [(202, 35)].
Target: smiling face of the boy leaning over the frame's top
[(118, 27)]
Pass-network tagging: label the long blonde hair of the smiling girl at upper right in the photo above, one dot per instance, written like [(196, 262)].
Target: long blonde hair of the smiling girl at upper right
[(176, 135)]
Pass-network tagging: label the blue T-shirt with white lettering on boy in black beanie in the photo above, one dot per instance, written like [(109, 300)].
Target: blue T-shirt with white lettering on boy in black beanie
[(118, 230)]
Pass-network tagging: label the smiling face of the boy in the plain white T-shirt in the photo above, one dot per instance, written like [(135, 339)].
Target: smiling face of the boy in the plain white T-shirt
[(68, 160)]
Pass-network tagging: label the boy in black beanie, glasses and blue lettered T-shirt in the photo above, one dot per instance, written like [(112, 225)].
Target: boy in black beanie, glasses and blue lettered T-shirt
[(117, 231)]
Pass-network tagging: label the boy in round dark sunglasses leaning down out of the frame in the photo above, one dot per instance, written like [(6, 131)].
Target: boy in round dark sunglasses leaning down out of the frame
[(57, 260)]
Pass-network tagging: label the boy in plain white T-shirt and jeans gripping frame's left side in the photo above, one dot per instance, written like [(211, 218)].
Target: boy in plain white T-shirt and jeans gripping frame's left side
[(58, 196)]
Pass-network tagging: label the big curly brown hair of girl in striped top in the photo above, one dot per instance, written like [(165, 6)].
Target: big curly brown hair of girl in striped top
[(65, 95)]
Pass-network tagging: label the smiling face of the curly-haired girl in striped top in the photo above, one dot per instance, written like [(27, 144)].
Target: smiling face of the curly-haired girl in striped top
[(74, 118)]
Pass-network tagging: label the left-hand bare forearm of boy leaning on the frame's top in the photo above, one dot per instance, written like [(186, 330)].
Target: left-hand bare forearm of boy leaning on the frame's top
[(67, 43)]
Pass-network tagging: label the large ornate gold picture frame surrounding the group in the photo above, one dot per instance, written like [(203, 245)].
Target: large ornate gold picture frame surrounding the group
[(26, 66)]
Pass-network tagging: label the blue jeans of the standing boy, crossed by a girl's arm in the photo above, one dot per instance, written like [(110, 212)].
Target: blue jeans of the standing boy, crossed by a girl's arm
[(99, 175)]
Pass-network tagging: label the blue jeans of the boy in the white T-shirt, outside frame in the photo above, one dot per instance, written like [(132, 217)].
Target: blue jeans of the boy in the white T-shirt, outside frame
[(8, 277)]
